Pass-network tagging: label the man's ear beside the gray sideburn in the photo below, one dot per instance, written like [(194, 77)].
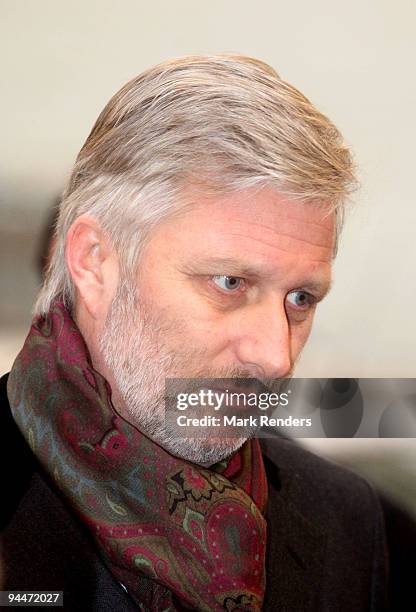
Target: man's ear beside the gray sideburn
[(93, 265)]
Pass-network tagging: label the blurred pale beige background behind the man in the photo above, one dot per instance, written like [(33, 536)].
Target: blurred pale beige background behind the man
[(61, 62)]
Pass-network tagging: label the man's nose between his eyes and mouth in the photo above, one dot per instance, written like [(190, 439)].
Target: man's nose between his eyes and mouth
[(264, 341)]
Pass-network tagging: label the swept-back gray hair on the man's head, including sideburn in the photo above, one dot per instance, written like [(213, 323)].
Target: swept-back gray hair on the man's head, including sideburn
[(222, 123)]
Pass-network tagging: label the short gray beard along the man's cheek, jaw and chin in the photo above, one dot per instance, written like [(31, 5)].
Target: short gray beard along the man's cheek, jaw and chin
[(133, 350)]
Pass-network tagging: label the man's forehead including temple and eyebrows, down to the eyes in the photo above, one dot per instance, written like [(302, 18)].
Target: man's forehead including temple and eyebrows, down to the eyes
[(254, 234)]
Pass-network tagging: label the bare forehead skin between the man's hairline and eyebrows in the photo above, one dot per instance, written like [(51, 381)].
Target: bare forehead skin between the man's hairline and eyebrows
[(261, 220)]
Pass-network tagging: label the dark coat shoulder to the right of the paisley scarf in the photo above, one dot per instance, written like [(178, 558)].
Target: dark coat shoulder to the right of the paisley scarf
[(329, 519)]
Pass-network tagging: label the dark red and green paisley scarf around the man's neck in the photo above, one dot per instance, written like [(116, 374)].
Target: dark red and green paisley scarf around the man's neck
[(178, 536)]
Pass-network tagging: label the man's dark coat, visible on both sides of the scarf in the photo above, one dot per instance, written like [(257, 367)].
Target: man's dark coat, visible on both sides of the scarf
[(326, 535)]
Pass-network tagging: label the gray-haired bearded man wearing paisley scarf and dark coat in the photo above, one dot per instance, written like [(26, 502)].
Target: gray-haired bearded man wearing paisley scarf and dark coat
[(195, 239)]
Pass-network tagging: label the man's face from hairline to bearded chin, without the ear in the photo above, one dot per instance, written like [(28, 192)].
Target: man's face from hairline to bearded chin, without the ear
[(228, 288)]
